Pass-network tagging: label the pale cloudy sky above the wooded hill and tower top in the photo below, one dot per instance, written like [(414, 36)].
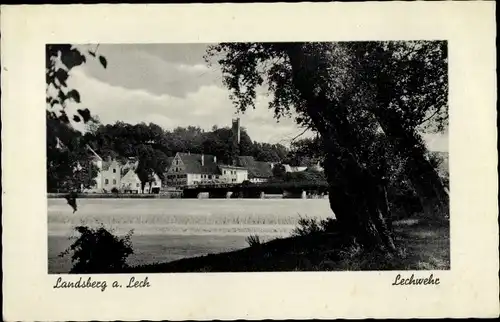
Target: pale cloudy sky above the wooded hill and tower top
[(172, 85)]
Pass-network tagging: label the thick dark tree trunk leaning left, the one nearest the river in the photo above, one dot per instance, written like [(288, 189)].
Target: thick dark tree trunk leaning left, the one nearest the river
[(353, 191)]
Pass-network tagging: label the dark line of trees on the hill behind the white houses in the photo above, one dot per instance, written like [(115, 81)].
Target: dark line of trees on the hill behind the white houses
[(68, 159)]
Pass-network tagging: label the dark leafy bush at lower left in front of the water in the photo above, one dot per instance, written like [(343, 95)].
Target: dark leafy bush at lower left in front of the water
[(99, 251)]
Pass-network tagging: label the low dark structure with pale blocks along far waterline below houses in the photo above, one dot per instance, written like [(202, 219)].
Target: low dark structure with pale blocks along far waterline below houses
[(255, 190)]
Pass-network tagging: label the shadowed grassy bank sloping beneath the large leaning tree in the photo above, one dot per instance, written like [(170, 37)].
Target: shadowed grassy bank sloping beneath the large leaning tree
[(423, 247)]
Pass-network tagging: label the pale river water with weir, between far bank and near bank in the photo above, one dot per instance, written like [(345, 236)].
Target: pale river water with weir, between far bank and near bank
[(170, 229)]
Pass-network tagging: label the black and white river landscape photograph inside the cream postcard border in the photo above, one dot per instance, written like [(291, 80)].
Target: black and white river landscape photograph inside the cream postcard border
[(244, 157)]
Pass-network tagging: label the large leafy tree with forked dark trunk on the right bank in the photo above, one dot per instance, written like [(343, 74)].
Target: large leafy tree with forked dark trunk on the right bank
[(363, 99)]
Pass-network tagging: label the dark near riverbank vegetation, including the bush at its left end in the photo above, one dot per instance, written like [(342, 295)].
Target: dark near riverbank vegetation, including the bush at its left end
[(315, 245)]
